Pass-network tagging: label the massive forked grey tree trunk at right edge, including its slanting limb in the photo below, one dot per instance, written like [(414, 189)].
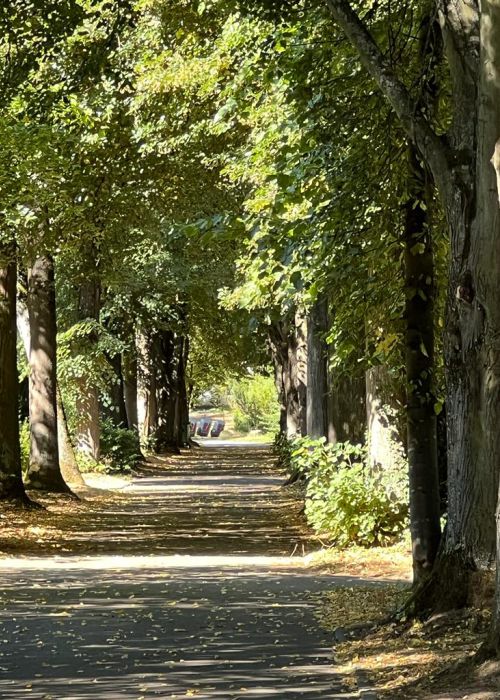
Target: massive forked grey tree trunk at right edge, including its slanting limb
[(463, 171)]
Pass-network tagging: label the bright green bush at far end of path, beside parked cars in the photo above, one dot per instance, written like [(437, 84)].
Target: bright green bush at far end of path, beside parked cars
[(256, 404)]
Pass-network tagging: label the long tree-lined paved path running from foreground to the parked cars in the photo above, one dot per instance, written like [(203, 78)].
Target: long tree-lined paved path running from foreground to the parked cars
[(181, 587)]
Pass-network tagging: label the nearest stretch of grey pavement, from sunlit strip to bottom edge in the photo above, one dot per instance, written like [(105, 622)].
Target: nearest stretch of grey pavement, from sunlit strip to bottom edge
[(134, 632)]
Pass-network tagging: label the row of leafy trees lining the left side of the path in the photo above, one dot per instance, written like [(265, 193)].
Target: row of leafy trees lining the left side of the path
[(110, 299)]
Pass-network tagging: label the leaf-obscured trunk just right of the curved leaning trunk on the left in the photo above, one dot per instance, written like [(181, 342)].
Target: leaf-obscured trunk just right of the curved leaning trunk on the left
[(88, 430)]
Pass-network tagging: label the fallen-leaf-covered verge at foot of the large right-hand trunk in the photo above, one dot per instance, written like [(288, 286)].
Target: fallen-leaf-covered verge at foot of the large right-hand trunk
[(418, 660)]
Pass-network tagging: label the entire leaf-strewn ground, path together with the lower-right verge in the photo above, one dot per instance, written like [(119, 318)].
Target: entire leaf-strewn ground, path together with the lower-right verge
[(189, 581)]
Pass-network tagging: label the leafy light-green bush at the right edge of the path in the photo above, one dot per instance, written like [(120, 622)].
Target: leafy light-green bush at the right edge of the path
[(345, 502)]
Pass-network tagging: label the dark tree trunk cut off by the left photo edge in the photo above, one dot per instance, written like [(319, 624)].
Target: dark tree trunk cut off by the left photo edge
[(11, 483)]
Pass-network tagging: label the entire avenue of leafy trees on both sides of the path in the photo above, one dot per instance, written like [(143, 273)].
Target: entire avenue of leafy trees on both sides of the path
[(206, 175)]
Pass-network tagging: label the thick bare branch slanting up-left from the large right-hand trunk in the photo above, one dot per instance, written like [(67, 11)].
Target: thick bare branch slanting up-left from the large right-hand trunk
[(417, 127)]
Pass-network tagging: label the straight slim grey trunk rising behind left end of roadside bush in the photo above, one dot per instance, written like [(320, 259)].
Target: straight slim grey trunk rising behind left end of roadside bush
[(317, 370)]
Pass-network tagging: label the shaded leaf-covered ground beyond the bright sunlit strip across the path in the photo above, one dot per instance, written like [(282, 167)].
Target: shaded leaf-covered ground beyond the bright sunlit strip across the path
[(224, 500)]
